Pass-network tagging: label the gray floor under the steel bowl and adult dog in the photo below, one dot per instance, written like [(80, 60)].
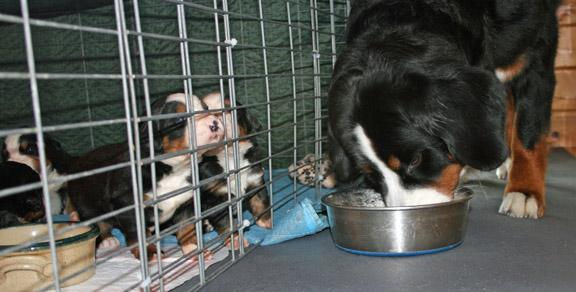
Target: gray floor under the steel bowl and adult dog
[(498, 253)]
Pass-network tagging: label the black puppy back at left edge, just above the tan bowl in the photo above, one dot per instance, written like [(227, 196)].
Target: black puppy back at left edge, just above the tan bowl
[(23, 207)]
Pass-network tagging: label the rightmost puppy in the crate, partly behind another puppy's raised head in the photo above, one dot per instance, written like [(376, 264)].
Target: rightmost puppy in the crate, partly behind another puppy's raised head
[(250, 176)]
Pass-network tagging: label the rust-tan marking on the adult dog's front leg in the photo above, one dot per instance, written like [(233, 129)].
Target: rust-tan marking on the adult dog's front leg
[(528, 167)]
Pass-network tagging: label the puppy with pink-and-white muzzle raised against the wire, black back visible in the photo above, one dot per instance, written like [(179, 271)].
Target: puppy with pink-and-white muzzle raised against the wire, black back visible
[(102, 193)]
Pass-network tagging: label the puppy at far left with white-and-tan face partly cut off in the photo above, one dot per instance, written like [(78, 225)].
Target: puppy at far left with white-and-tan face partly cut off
[(24, 149)]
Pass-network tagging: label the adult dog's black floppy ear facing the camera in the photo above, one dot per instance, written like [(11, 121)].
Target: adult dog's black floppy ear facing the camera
[(470, 114)]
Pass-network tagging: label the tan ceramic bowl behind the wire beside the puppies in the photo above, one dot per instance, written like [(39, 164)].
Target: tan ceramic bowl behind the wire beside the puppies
[(30, 268)]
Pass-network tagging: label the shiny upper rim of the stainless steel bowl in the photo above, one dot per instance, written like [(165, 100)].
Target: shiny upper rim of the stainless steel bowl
[(467, 195)]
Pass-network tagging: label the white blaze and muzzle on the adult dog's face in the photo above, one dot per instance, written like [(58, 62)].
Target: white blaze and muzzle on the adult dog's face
[(397, 194)]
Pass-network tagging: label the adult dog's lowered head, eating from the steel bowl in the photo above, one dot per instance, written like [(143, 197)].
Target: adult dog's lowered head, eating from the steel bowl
[(410, 133)]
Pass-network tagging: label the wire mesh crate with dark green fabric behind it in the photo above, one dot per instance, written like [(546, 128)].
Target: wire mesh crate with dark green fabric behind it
[(87, 73)]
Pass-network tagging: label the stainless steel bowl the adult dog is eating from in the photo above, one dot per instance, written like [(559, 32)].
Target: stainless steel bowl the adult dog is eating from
[(360, 223)]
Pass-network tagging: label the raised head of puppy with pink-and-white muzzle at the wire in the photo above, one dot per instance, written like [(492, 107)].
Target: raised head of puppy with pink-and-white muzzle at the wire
[(172, 134)]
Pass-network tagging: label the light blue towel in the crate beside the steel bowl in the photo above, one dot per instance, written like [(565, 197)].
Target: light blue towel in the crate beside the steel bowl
[(290, 220)]
